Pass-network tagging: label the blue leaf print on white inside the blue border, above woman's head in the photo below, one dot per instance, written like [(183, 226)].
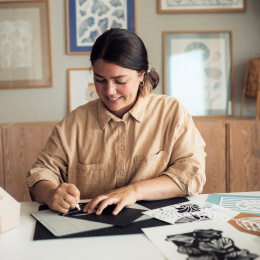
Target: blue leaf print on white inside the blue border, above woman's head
[(96, 16)]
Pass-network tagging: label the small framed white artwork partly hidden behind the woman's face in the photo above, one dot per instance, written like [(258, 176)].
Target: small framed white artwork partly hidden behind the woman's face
[(81, 87)]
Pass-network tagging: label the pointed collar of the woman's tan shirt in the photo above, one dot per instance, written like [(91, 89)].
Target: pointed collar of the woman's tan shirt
[(137, 112)]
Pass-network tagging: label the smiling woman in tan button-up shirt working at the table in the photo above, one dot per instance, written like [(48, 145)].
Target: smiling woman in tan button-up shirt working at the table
[(126, 146)]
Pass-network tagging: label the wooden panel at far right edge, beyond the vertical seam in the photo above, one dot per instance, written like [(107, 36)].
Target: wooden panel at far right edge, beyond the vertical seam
[(244, 154)]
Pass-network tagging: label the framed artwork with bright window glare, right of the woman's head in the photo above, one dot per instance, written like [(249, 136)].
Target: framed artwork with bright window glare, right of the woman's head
[(198, 70)]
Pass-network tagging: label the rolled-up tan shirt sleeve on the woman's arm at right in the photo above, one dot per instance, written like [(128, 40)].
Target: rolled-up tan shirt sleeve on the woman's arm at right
[(187, 160)]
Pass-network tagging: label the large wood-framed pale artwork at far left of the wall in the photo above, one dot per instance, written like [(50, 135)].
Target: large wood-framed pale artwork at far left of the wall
[(25, 58)]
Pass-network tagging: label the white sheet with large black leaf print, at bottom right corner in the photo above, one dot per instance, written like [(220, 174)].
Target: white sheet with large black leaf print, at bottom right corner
[(212, 239)]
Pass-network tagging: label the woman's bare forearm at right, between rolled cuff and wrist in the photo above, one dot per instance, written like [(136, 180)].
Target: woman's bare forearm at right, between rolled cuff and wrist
[(162, 187)]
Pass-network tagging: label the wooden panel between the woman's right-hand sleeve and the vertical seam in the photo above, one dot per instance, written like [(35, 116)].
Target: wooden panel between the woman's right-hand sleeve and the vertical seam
[(214, 135)]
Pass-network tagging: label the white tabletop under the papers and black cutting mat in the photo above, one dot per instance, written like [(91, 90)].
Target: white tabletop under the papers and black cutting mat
[(18, 243)]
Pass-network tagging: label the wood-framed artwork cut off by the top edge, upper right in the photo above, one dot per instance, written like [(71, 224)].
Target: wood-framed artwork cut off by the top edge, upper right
[(198, 6)]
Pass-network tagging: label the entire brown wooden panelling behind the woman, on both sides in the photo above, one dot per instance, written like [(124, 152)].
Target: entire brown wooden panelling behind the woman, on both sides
[(232, 147)]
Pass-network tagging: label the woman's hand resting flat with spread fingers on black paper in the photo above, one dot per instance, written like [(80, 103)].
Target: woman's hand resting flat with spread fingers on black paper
[(122, 197)]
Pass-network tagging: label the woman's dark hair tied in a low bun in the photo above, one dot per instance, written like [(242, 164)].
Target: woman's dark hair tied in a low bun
[(125, 49)]
